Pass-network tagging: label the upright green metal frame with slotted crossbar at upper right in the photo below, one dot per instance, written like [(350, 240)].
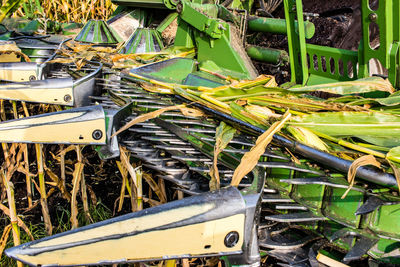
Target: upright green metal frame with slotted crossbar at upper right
[(314, 64)]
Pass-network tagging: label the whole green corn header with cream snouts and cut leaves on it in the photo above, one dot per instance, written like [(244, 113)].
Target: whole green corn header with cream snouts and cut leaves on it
[(197, 113)]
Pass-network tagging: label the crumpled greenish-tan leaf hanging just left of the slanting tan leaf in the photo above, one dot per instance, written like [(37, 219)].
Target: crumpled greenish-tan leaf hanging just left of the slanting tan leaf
[(224, 134)]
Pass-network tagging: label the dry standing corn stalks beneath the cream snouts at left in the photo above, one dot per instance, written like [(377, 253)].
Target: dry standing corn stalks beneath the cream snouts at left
[(48, 174)]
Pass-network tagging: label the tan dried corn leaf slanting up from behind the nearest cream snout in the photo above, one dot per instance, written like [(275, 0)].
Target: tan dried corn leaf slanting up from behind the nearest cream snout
[(250, 159)]
